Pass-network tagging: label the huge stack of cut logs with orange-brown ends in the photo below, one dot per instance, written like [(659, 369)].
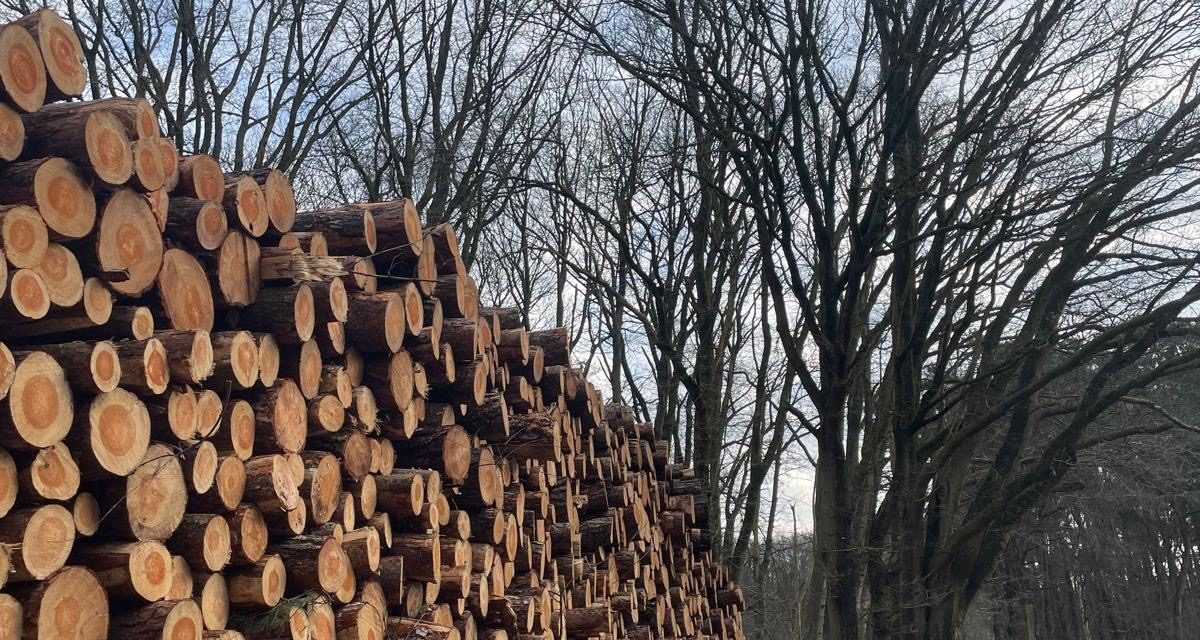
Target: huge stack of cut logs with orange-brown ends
[(223, 418)]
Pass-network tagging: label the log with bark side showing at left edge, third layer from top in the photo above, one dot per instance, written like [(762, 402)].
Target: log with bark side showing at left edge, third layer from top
[(59, 192)]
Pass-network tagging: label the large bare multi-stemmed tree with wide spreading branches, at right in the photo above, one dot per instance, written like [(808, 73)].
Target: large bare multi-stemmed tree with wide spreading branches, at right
[(944, 195)]
